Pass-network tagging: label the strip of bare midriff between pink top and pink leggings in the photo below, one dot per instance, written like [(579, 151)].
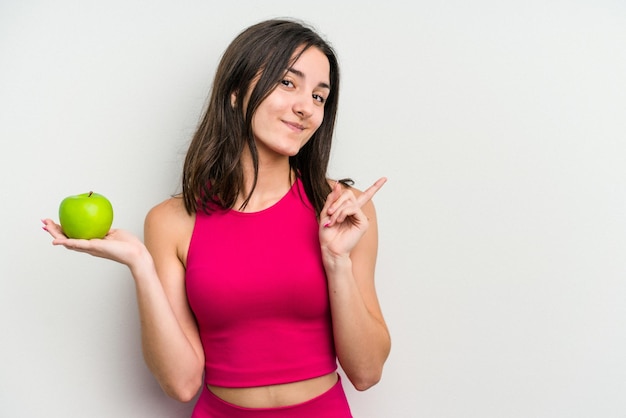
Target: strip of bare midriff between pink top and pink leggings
[(274, 396)]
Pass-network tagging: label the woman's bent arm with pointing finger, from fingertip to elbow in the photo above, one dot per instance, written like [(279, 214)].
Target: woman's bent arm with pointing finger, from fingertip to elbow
[(349, 239)]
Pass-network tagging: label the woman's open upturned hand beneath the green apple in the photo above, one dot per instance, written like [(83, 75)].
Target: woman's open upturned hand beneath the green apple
[(118, 245)]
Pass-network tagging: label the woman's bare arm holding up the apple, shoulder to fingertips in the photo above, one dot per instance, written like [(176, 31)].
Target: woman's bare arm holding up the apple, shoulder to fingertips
[(170, 339)]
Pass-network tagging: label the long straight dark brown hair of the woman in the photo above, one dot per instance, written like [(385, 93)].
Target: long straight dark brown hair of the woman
[(212, 171)]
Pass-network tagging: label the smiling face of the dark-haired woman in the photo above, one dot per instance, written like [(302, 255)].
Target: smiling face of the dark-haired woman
[(290, 115)]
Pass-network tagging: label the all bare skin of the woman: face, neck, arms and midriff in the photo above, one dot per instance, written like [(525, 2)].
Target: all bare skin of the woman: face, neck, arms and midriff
[(282, 124)]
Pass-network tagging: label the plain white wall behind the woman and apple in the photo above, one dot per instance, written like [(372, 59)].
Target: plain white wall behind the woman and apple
[(501, 127)]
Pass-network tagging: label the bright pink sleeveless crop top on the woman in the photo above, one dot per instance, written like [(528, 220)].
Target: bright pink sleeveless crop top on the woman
[(257, 286)]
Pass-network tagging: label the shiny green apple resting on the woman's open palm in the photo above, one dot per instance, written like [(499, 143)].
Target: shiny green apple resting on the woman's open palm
[(86, 216)]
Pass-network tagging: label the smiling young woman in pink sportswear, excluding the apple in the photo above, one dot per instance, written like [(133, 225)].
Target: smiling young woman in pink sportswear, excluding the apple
[(256, 279)]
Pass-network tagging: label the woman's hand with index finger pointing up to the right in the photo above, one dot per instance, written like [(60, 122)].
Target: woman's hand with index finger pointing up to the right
[(342, 221)]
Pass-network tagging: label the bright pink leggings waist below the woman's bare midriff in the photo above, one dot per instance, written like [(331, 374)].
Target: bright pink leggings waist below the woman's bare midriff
[(330, 404)]
